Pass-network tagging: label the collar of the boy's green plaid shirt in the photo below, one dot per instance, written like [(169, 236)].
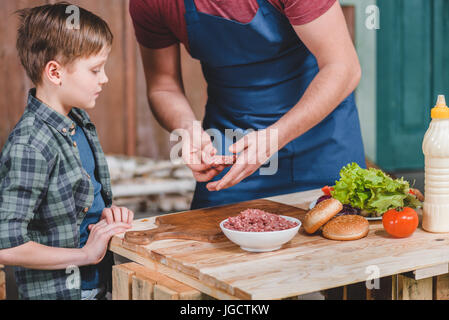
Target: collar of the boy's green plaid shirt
[(53, 118)]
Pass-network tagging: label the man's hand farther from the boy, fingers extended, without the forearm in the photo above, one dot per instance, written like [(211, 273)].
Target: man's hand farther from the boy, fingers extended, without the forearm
[(254, 149)]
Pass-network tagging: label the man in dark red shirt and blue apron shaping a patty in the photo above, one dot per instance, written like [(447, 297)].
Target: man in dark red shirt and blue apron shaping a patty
[(284, 68)]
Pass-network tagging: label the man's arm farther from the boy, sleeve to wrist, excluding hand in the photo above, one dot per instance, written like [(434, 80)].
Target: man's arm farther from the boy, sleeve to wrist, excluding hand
[(328, 39)]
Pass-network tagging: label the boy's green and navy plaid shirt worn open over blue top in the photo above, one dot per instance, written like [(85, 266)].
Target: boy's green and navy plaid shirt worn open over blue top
[(45, 192)]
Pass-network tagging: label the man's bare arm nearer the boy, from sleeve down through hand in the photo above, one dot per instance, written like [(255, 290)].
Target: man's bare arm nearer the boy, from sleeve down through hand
[(169, 105)]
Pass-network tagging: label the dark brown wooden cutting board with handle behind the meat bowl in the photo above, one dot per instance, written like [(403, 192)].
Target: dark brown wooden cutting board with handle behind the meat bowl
[(204, 224)]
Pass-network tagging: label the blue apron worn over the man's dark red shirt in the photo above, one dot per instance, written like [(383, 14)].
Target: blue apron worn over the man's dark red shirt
[(256, 72)]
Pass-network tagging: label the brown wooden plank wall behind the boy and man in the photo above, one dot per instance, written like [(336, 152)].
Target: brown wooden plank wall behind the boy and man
[(122, 115)]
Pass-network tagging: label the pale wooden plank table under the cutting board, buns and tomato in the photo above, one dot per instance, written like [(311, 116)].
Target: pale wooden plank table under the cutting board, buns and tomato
[(308, 263)]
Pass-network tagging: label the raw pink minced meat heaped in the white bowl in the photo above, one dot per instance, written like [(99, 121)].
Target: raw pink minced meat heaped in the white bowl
[(256, 220)]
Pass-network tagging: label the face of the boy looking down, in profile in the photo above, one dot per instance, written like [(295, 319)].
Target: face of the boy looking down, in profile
[(82, 81)]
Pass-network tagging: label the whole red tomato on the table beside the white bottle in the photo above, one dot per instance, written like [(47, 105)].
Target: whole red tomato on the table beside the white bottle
[(402, 223)]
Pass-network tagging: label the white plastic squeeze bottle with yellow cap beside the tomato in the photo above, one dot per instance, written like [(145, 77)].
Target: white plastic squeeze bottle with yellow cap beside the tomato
[(436, 170)]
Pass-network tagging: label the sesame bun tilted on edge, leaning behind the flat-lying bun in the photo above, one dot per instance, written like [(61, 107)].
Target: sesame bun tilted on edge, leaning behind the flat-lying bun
[(320, 214)]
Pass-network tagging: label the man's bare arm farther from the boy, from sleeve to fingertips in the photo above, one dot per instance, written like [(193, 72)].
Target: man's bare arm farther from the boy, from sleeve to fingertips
[(328, 39)]
